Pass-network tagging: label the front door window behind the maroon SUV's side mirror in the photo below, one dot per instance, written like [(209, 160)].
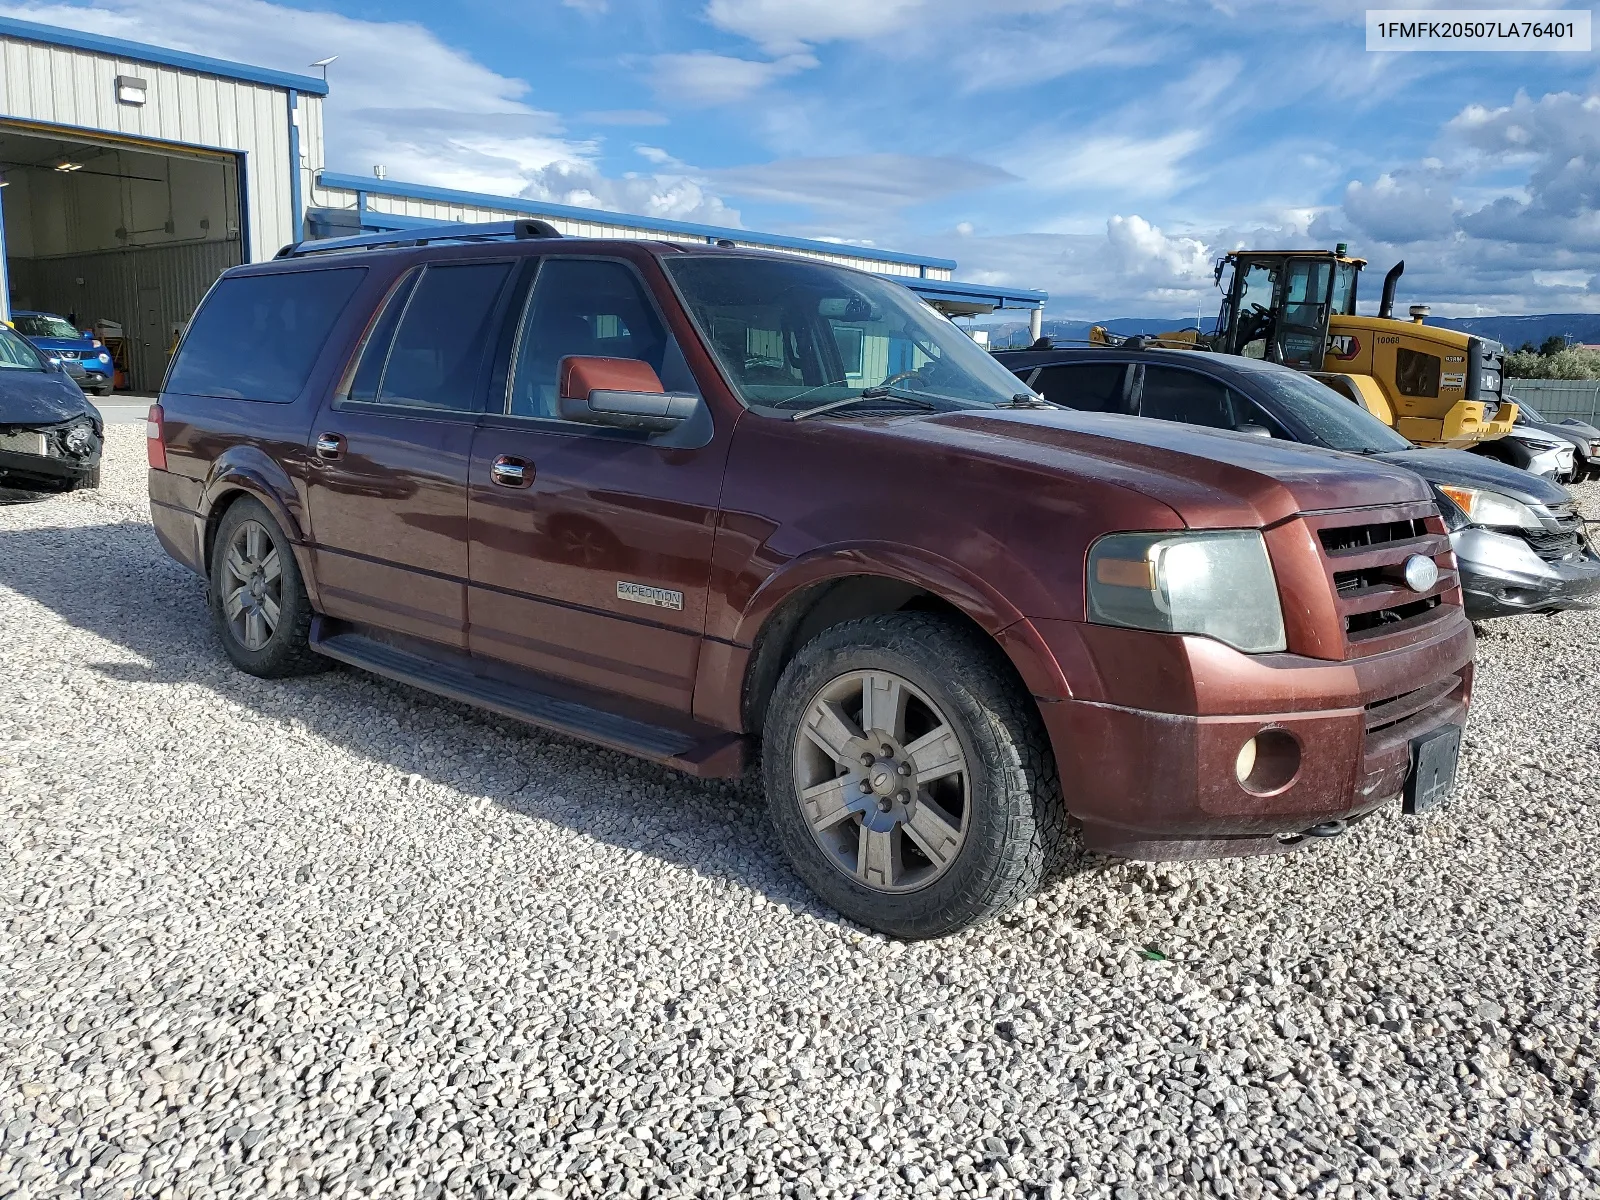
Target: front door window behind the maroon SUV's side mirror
[(588, 308)]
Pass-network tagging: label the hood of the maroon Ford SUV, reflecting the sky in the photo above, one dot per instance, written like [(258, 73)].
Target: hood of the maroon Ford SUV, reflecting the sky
[(1212, 479)]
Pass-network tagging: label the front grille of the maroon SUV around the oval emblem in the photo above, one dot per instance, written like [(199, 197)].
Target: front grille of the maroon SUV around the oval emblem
[(1366, 558)]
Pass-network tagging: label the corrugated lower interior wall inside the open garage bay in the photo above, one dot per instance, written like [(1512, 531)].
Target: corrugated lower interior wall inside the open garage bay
[(148, 290)]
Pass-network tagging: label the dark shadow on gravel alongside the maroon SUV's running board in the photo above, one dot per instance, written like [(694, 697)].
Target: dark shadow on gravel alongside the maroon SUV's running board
[(118, 583)]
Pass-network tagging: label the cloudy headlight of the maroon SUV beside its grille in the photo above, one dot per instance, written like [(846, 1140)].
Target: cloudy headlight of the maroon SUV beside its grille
[(1218, 585)]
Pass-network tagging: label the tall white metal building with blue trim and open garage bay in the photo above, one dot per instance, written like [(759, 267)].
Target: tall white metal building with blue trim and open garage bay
[(135, 175)]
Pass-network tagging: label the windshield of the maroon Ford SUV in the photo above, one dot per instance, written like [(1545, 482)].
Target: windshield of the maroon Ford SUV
[(794, 335)]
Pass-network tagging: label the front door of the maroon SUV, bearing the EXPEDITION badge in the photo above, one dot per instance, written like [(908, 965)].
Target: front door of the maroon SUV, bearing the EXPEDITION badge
[(591, 559)]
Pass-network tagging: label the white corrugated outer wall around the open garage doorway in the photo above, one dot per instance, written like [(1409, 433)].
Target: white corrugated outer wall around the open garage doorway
[(58, 86)]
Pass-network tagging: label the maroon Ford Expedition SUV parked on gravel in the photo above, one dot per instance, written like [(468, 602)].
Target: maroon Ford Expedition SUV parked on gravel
[(702, 503)]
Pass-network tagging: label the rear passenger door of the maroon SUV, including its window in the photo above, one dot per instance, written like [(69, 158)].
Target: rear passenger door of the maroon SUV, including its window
[(388, 490)]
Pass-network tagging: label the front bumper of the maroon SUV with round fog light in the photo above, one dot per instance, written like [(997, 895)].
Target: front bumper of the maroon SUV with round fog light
[(1158, 785)]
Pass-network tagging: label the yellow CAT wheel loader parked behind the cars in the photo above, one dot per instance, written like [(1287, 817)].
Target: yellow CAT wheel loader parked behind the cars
[(1436, 388)]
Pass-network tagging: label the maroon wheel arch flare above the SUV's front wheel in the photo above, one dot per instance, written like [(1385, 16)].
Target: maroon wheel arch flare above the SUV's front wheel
[(974, 596)]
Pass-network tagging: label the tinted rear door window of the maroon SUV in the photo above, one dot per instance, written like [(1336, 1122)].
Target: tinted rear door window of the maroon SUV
[(430, 346)]
